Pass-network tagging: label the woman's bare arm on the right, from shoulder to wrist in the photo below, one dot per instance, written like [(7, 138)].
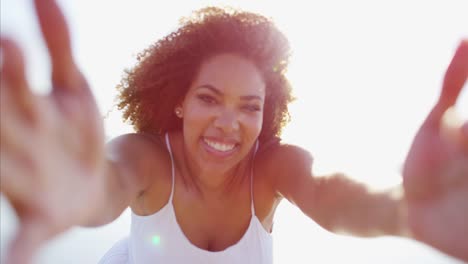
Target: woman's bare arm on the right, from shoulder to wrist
[(334, 201)]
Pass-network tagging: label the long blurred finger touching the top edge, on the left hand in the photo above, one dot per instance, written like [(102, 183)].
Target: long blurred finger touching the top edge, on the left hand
[(65, 74)]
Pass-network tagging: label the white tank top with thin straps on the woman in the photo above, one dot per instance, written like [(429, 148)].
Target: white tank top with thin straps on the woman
[(158, 238)]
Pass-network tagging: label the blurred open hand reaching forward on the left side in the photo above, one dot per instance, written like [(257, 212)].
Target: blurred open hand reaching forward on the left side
[(52, 146)]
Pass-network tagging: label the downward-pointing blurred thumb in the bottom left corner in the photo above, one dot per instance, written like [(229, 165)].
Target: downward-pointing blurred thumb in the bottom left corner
[(28, 240)]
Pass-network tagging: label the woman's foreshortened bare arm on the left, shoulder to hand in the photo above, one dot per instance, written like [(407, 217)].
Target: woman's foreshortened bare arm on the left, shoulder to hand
[(127, 174)]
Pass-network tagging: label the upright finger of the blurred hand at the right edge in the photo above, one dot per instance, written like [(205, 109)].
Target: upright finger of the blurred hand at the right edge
[(455, 78)]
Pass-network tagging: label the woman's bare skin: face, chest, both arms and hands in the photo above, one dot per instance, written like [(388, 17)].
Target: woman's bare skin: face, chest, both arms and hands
[(70, 157)]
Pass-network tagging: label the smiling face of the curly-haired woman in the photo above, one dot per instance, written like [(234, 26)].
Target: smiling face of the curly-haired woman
[(222, 113)]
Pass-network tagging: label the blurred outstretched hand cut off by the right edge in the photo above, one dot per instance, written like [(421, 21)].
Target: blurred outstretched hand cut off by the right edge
[(436, 170)]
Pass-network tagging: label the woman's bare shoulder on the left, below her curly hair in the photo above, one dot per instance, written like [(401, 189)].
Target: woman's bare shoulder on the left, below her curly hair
[(139, 157)]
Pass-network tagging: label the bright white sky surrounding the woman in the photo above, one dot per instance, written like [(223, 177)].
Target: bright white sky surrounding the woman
[(365, 74)]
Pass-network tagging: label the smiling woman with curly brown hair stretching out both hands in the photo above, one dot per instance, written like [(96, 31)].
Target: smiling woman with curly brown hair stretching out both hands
[(206, 169)]
